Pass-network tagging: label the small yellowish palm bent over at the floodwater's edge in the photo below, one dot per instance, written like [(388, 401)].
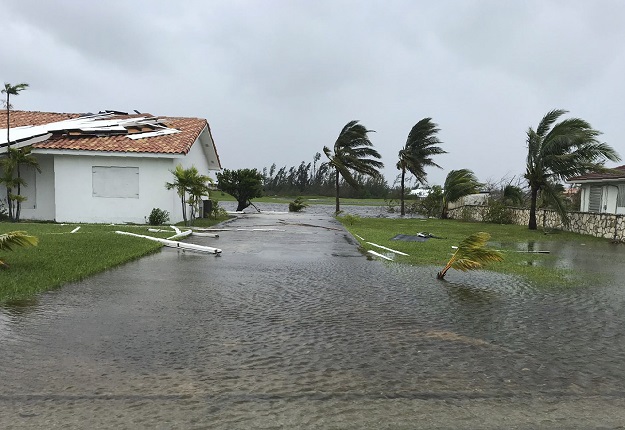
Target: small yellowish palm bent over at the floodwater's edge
[(471, 254)]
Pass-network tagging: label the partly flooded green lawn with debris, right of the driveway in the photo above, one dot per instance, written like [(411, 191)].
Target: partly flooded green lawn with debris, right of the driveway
[(436, 252)]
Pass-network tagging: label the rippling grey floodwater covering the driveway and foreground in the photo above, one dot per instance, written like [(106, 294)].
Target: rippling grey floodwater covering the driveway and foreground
[(293, 328)]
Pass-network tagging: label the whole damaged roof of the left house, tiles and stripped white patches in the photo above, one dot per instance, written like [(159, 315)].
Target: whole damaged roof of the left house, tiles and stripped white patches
[(107, 131)]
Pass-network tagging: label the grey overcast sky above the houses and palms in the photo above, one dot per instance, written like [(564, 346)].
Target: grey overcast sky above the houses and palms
[(278, 79)]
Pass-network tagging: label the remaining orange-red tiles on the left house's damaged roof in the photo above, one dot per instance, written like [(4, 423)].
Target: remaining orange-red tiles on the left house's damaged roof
[(179, 143)]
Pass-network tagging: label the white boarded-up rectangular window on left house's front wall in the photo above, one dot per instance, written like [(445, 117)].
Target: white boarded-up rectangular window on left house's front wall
[(121, 182)]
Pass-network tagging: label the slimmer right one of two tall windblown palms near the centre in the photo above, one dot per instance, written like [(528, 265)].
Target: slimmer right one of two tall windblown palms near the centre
[(417, 153)]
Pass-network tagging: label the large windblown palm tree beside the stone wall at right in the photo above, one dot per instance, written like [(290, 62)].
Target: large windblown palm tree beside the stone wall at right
[(557, 152)]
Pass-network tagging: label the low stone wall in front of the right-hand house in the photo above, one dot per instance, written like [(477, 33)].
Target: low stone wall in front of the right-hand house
[(608, 226)]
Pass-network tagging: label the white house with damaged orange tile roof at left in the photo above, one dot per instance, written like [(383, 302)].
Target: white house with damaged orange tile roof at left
[(106, 168)]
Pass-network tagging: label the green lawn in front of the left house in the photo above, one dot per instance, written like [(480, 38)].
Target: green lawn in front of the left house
[(62, 257)]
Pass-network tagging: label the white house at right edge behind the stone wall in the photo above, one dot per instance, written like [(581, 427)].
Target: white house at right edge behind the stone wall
[(602, 192)]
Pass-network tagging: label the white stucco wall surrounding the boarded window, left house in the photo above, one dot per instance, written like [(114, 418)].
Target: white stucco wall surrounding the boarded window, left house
[(74, 191)]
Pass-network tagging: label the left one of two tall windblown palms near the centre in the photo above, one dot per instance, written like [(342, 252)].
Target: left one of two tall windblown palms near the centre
[(353, 151)]
